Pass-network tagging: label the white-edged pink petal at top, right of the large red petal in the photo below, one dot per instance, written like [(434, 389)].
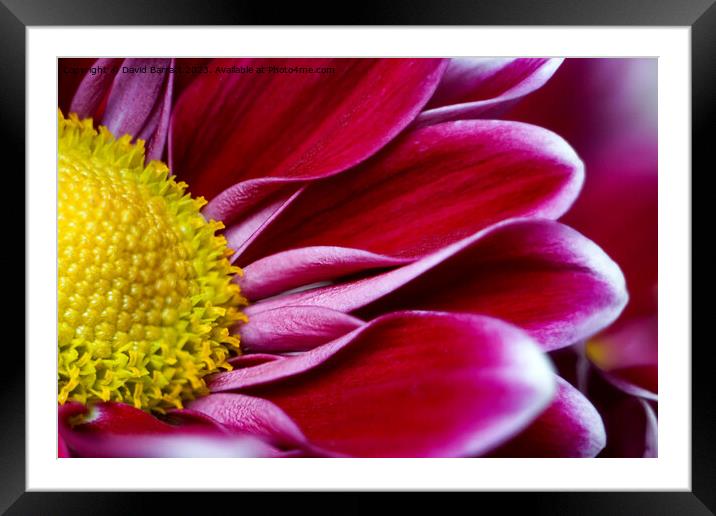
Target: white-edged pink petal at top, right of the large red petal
[(473, 86)]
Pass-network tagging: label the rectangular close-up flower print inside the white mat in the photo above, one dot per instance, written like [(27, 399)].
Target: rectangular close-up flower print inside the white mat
[(357, 257)]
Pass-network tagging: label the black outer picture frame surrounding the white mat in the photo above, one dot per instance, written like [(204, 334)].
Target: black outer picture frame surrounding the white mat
[(699, 15)]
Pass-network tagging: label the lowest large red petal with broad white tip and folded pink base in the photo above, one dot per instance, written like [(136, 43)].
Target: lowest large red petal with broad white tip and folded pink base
[(409, 384)]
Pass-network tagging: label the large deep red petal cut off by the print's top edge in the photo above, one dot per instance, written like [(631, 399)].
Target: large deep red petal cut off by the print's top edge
[(230, 127)]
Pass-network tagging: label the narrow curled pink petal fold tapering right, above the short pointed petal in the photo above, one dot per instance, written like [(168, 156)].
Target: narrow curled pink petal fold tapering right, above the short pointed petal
[(298, 267)]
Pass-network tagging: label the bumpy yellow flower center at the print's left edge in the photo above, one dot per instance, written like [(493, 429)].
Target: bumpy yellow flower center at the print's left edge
[(145, 297)]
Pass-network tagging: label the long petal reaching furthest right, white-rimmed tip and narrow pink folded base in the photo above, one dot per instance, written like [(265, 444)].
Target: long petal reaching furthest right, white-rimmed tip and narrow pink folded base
[(537, 274)]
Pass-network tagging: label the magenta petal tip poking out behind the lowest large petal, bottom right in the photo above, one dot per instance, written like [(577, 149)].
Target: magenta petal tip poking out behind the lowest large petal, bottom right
[(570, 427)]
